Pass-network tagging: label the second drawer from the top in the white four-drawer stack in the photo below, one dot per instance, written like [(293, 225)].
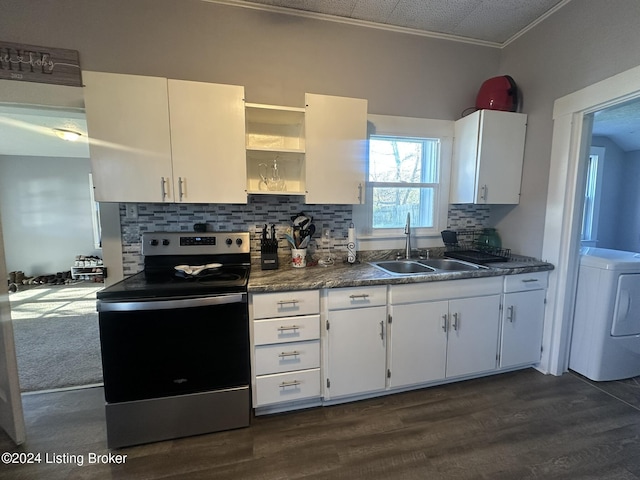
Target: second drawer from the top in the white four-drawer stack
[(286, 329)]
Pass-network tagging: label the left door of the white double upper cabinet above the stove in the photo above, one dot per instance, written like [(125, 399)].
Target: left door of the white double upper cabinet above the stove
[(130, 142)]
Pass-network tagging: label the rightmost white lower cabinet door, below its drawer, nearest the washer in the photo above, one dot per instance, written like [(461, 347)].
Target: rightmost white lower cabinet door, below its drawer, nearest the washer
[(522, 323)]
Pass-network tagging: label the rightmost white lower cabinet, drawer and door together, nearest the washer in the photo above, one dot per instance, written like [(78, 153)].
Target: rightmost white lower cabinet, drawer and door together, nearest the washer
[(522, 319)]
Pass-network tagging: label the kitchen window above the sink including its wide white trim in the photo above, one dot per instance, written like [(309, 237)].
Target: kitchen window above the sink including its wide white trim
[(407, 171)]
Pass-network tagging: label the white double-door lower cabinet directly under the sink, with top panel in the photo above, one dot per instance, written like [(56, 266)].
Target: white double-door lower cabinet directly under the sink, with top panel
[(447, 330)]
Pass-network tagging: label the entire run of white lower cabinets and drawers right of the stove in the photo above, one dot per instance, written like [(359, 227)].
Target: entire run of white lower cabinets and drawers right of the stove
[(366, 341)]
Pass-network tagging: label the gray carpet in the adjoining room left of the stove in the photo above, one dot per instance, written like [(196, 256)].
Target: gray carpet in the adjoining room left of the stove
[(56, 336)]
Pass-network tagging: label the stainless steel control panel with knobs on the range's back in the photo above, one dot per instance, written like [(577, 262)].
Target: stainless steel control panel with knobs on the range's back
[(187, 243)]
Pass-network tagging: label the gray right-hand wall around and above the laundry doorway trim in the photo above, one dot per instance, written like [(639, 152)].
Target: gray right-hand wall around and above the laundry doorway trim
[(584, 42)]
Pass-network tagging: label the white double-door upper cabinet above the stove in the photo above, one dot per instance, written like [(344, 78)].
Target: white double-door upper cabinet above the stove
[(159, 140)]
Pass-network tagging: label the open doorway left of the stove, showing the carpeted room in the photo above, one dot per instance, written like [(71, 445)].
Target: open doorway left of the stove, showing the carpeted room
[(47, 215)]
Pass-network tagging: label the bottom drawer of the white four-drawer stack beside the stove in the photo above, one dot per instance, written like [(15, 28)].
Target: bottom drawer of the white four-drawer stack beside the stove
[(286, 387)]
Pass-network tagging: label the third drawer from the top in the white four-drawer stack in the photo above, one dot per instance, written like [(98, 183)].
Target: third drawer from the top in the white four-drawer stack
[(287, 357)]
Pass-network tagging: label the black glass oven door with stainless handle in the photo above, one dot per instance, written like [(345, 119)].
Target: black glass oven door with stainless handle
[(161, 348)]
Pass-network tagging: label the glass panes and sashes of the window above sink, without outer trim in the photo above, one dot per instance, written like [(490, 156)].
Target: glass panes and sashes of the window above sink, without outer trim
[(403, 178)]
